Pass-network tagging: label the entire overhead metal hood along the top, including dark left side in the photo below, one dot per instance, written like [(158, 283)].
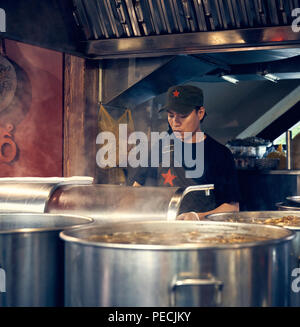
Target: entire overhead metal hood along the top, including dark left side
[(145, 28)]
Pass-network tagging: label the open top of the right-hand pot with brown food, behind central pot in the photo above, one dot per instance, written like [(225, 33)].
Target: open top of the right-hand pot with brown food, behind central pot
[(286, 219)]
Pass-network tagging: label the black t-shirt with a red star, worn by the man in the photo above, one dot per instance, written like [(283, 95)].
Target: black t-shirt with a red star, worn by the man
[(219, 169)]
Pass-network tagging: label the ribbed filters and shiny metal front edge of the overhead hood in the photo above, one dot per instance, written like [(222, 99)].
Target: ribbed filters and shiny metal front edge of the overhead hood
[(151, 28)]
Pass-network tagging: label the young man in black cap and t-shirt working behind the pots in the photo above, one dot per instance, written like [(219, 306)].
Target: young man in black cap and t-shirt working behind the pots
[(185, 114)]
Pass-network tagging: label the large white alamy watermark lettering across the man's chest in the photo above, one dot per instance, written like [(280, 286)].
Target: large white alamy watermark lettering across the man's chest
[(114, 153)]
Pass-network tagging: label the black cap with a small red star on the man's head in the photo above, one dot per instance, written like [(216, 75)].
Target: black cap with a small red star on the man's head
[(183, 98)]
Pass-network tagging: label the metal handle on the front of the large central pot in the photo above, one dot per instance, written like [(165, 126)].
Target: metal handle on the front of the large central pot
[(180, 281)]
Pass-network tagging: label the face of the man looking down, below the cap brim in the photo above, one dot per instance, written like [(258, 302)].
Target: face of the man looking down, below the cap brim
[(185, 122)]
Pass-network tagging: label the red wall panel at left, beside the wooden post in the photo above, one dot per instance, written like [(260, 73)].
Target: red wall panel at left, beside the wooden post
[(34, 118)]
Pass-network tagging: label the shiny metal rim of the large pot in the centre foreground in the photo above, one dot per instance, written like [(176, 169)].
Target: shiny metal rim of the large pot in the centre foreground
[(186, 246)]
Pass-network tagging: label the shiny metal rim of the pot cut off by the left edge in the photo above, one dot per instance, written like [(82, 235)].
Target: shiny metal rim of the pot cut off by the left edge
[(84, 220)]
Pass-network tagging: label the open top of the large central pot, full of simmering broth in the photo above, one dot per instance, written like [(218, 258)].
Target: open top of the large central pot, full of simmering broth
[(205, 235)]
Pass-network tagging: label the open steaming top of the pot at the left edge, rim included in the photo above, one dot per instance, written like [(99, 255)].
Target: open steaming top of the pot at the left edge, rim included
[(35, 222)]
